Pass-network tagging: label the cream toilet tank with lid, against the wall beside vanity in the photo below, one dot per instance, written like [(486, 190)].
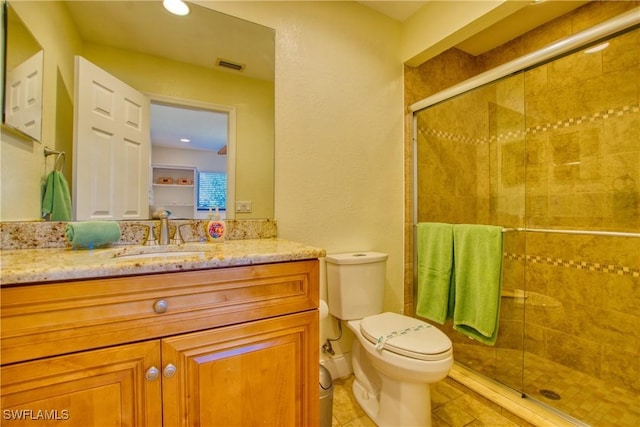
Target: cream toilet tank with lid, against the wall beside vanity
[(355, 284)]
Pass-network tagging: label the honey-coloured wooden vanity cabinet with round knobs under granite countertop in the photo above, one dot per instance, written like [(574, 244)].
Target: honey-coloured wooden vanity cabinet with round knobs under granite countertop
[(222, 347)]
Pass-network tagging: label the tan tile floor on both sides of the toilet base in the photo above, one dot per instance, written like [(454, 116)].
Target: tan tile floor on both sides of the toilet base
[(451, 403)]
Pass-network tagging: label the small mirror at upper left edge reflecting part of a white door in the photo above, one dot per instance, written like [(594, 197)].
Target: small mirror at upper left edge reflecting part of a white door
[(22, 106)]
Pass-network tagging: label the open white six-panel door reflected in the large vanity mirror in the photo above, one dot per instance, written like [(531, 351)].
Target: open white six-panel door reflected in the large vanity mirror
[(111, 144)]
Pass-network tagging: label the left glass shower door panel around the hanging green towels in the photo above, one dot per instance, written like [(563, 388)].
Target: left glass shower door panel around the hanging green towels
[(471, 169)]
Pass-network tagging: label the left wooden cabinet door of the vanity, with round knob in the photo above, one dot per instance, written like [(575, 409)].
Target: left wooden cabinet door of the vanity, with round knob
[(105, 387)]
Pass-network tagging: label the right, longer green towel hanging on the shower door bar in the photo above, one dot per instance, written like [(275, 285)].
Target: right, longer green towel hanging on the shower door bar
[(478, 280)]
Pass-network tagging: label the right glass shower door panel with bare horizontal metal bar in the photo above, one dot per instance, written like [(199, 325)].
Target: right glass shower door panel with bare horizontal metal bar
[(582, 175)]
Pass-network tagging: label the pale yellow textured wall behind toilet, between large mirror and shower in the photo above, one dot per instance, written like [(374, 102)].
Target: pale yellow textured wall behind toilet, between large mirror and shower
[(339, 151)]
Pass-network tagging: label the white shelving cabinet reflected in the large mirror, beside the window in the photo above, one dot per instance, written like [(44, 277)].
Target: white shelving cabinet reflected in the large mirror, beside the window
[(173, 187)]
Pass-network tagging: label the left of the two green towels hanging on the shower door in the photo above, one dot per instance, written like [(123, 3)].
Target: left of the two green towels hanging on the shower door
[(435, 264)]
